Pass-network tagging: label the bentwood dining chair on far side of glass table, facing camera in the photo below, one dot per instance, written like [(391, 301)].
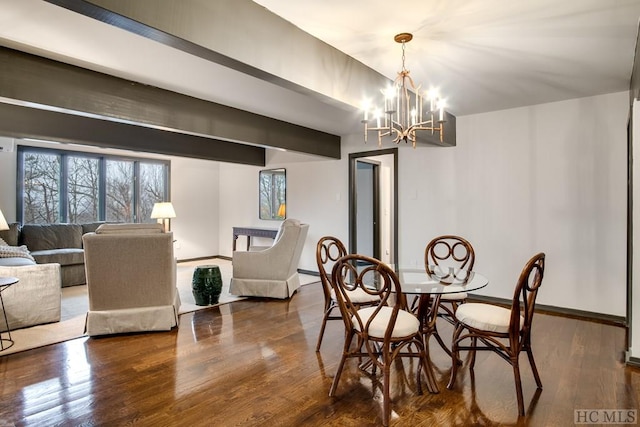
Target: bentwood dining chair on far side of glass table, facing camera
[(455, 252)]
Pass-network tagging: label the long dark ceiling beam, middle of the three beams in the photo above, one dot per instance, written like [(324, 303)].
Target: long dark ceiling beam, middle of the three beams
[(43, 82)]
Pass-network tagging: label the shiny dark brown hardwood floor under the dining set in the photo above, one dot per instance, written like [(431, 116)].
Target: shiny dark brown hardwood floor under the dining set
[(253, 362)]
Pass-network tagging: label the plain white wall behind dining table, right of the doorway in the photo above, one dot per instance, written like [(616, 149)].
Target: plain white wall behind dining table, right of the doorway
[(548, 178)]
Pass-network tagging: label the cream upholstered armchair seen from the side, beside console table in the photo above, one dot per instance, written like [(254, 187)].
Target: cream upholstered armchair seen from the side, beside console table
[(272, 272)]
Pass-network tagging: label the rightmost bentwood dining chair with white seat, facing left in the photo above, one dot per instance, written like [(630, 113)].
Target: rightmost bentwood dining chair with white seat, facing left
[(505, 331)]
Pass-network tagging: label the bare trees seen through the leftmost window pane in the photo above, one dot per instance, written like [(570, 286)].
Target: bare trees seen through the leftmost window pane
[(41, 188)]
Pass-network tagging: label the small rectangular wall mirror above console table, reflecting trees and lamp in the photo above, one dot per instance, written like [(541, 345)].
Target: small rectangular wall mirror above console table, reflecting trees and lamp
[(273, 194)]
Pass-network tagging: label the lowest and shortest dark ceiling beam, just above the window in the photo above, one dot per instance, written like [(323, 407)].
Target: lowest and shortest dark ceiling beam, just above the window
[(23, 122)]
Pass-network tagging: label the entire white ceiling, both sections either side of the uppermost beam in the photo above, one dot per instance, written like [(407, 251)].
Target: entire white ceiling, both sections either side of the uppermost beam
[(484, 55)]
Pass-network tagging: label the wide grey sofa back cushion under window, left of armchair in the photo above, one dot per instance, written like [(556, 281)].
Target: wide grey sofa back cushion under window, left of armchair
[(39, 237)]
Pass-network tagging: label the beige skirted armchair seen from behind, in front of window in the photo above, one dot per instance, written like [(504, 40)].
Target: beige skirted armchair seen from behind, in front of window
[(131, 279)]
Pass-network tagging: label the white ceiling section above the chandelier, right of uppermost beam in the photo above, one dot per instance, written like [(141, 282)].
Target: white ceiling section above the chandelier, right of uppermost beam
[(485, 55)]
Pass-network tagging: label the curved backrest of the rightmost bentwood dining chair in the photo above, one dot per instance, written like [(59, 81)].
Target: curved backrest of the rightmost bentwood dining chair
[(524, 297)]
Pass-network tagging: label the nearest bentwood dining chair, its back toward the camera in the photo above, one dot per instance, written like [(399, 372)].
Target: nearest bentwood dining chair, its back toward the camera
[(385, 331)]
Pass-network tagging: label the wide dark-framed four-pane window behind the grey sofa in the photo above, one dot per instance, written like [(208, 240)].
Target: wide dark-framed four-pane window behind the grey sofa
[(71, 186)]
